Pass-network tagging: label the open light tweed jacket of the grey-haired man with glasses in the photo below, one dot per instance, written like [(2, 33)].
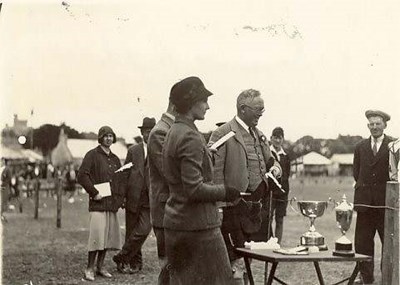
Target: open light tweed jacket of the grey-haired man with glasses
[(231, 159)]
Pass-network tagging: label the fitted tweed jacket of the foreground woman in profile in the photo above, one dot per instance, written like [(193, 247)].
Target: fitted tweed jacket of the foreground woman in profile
[(191, 205)]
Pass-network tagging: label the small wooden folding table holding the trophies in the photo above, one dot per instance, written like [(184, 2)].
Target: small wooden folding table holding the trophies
[(268, 255)]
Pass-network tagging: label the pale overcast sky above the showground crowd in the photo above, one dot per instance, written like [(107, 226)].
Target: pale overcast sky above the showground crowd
[(318, 64)]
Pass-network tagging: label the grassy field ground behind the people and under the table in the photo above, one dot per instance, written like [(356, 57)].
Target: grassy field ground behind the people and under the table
[(36, 252)]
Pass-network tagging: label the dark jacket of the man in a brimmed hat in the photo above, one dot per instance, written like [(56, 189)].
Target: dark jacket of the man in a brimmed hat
[(137, 190)]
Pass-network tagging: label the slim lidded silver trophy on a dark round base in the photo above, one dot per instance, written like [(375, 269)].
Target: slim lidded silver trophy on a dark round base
[(344, 214)]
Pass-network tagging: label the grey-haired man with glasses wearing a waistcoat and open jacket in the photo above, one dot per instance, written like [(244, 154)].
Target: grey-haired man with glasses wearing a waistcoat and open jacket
[(242, 162)]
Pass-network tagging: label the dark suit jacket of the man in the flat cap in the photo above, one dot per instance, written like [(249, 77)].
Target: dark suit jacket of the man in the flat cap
[(370, 173)]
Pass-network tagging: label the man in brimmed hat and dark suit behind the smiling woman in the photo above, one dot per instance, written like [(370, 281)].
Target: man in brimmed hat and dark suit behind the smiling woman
[(137, 212)]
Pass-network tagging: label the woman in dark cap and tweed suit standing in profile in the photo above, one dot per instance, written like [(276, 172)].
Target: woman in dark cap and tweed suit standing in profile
[(194, 244)]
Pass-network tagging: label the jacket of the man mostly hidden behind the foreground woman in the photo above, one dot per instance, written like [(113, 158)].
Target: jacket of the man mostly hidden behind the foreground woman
[(159, 192)]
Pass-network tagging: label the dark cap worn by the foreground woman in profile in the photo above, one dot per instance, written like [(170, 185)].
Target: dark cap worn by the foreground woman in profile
[(187, 92)]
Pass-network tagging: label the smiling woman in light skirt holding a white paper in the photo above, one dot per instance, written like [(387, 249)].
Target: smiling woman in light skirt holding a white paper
[(96, 176)]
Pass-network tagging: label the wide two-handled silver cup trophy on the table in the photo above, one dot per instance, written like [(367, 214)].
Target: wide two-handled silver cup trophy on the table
[(312, 210)]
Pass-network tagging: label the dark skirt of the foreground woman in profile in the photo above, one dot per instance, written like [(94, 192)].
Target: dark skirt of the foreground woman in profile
[(197, 257)]
